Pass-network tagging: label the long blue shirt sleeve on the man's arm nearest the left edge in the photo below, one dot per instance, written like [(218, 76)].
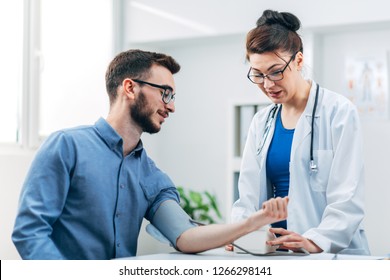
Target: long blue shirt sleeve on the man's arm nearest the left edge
[(42, 199)]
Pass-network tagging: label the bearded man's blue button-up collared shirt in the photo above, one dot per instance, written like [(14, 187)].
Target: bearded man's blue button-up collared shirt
[(82, 199)]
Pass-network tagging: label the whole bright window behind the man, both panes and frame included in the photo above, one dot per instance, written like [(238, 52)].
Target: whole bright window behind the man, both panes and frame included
[(53, 60)]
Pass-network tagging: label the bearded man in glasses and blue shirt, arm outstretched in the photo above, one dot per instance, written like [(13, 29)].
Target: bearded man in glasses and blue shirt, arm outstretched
[(89, 188)]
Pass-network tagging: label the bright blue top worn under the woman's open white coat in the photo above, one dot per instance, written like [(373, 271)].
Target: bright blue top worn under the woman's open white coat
[(278, 161)]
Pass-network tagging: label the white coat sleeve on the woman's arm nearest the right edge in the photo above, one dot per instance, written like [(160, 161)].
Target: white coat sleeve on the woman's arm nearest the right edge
[(344, 191)]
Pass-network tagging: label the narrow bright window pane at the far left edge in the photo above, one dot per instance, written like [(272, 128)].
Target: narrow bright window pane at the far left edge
[(11, 51)]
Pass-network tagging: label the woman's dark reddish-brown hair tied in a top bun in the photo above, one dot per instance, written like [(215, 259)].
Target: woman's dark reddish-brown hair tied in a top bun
[(274, 31)]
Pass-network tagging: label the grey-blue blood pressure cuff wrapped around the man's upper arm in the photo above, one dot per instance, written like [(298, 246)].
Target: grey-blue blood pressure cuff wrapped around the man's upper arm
[(169, 222)]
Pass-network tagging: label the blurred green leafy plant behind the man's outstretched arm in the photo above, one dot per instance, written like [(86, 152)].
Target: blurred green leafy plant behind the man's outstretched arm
[(200, 206)]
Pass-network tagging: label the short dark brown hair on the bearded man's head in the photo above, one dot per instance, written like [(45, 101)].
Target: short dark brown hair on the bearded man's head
[(135, 64)]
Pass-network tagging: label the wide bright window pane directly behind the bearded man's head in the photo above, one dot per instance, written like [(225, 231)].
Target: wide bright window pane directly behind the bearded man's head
[(76, 43)]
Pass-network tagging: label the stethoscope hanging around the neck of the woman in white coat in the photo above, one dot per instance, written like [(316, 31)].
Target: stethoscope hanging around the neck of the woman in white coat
[(268, 124)]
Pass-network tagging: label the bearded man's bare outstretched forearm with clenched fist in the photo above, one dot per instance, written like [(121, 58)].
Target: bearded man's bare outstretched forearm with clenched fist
[(200, 238)]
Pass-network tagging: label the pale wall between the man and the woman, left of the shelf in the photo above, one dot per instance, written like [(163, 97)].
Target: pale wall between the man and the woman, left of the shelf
[(193, 145)]
